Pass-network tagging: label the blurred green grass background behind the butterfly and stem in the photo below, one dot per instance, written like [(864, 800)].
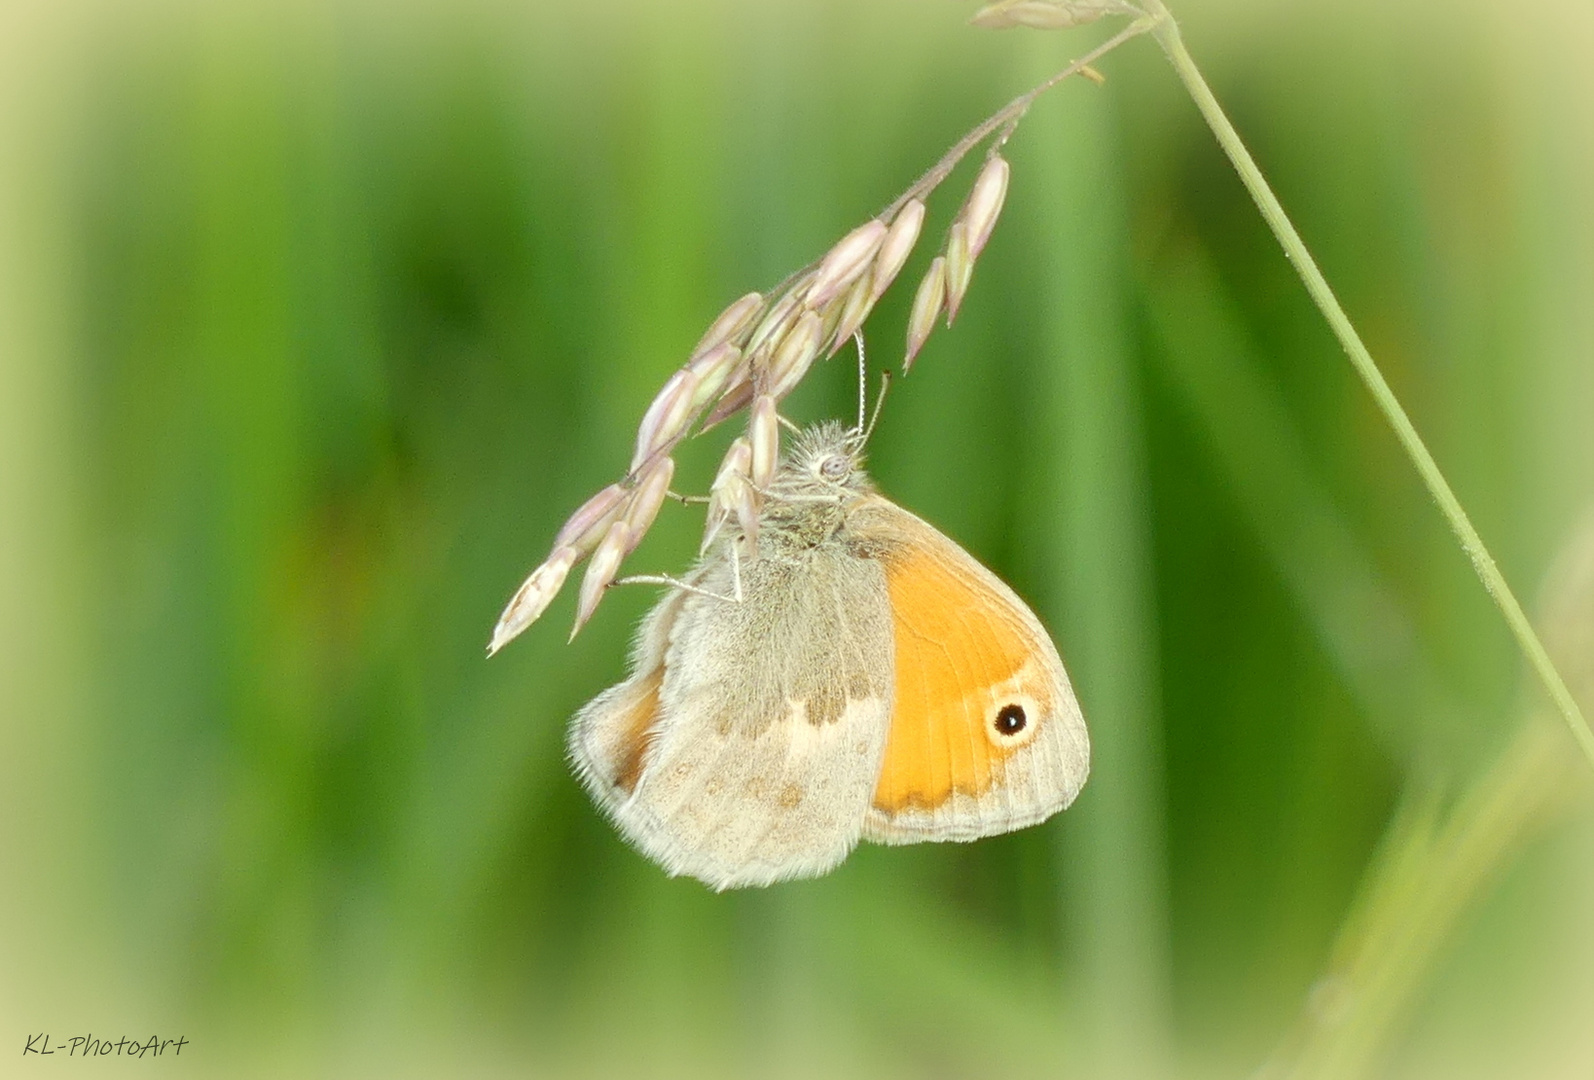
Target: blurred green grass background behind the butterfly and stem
[(316, 321)]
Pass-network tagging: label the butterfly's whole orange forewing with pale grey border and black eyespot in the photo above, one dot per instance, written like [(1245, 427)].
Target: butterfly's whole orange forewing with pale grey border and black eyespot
[(967, 648)]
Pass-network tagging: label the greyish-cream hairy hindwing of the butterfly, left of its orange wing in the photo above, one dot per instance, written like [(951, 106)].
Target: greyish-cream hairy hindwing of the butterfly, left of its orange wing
[(747, 745)]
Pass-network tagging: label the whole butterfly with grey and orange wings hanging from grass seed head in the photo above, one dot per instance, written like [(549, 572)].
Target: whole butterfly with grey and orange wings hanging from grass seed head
[(850, 676)]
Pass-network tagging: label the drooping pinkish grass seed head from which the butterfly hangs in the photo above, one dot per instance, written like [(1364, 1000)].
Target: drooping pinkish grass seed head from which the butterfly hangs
[(761, 348)]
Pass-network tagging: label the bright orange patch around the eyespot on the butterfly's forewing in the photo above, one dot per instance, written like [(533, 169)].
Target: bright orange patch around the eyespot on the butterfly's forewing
[(972, 683)]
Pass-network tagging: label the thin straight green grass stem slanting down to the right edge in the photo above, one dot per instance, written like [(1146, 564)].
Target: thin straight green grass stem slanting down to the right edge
[(1168, 36)]
